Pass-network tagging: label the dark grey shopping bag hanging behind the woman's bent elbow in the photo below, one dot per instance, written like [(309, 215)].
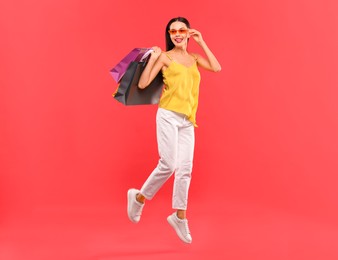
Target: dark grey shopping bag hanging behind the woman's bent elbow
[(128, 92)]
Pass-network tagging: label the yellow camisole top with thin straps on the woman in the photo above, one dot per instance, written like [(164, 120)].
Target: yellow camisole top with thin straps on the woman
[(181, 90)]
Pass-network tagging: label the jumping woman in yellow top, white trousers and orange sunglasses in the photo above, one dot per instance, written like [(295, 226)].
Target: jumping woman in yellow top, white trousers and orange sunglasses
[(175, 120)]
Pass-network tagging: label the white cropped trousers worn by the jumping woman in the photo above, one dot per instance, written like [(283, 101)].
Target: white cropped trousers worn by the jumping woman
[(176, 141)]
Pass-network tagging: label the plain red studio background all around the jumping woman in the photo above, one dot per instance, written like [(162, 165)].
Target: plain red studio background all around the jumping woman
[(265, 171)]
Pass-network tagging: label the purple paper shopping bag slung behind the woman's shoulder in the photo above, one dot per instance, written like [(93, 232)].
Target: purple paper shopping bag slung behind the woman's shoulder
[(137, 54)]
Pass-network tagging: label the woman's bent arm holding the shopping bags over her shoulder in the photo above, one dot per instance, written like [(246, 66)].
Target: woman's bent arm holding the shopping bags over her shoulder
[(154, 65)]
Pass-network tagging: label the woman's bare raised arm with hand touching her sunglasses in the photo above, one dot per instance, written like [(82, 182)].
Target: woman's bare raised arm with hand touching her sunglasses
[(210, 63)]
